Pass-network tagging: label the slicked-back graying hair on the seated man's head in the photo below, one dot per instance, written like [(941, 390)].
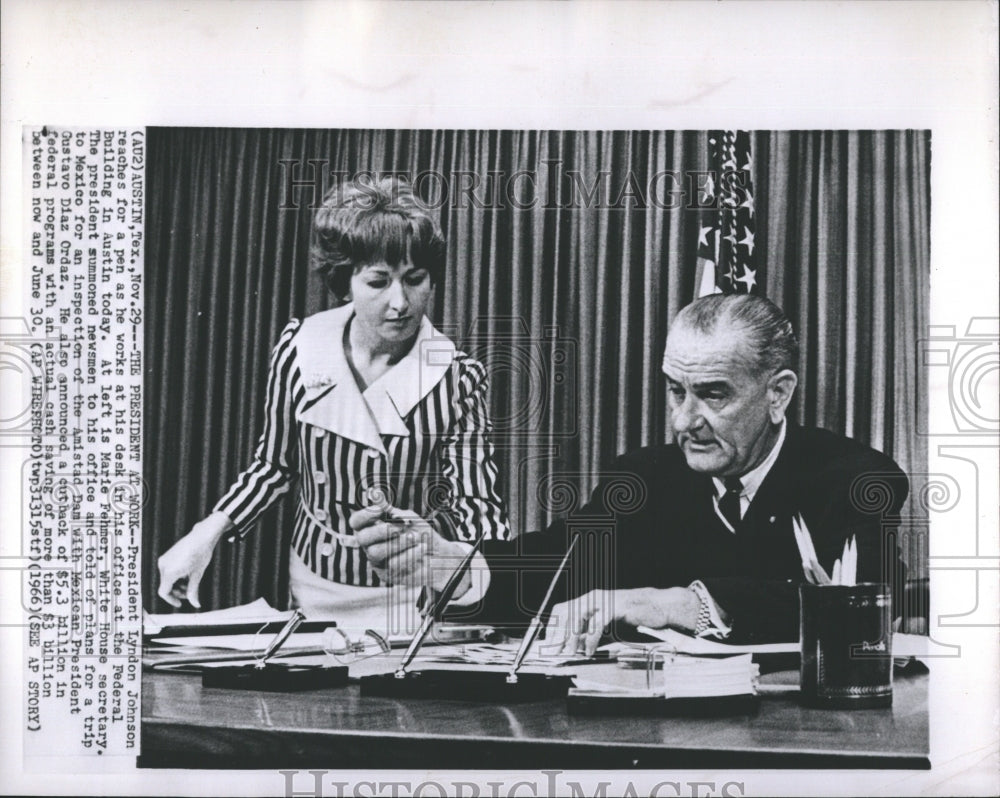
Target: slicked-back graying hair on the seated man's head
[(769, 336)]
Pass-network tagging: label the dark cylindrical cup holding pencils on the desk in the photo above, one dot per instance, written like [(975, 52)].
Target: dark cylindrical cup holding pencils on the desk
[(846, 638)]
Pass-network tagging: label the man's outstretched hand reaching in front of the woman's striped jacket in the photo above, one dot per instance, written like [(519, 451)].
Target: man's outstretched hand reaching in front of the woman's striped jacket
[(406, 549)]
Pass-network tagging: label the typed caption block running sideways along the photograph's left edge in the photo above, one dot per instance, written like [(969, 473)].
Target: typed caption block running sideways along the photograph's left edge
[(82, 477)]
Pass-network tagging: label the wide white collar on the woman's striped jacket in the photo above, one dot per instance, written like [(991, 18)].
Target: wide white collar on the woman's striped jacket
[(332, 398)]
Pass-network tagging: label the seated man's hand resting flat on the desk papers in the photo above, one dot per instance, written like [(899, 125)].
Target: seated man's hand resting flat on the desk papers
[(577, 625)]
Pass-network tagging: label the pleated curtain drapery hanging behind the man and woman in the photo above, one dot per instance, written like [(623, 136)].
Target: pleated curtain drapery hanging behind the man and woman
[(569, 253)]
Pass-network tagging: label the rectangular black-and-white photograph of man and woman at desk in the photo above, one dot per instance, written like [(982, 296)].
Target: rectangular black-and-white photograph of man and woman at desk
[(621, 375)]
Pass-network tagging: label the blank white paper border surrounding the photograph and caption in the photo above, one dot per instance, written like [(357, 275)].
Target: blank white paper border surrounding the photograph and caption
[(538, 65)]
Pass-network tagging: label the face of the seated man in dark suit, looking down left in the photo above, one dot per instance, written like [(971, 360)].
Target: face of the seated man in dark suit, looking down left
[(719, 409)]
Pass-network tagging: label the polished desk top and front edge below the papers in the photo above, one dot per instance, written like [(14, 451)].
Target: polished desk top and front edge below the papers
[(185, 725)]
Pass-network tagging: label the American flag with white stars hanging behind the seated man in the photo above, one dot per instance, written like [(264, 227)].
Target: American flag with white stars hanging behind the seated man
[(726, 257)]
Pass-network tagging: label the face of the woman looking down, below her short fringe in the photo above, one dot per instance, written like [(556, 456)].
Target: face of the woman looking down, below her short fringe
[(390, 301)]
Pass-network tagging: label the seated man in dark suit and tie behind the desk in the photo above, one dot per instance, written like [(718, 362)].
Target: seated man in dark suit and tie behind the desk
[(709, 549)]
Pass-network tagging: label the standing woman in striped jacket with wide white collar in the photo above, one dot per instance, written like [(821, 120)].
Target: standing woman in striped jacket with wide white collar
[(379, 418)]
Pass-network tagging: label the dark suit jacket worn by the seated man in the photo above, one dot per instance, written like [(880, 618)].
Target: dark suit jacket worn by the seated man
[(651, 523)]
